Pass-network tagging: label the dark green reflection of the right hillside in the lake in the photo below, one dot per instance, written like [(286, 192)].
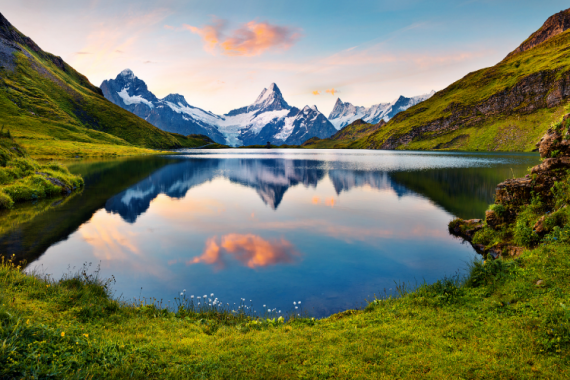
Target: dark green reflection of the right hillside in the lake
[(463, 192)]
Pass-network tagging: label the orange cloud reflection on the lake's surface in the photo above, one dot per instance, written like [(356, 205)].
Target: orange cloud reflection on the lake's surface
[(249, 250)]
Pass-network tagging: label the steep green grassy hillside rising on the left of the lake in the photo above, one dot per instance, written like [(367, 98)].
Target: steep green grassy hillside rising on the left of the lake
[(51, 109)]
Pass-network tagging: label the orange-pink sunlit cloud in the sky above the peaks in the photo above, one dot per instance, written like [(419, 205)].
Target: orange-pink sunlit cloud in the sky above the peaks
[(251, 39)]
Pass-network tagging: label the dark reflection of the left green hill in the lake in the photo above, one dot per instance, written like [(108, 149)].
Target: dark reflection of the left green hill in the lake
[(39, 226)]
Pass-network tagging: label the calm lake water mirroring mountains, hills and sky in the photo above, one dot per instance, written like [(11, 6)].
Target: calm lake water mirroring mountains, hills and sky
[(328, 228)]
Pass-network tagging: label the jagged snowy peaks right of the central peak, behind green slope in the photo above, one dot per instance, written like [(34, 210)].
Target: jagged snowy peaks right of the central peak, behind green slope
[(345, 113)]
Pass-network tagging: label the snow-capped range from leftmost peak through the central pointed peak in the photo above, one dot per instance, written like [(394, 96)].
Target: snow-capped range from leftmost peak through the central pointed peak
[(268, 119)]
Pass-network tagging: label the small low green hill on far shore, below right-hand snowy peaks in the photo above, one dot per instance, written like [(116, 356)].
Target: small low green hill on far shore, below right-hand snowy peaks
[(345, 137)]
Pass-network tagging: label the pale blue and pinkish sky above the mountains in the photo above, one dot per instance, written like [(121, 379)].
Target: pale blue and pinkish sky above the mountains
[(220, 54)]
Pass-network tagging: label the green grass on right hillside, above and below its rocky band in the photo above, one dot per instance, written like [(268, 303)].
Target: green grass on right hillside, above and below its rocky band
[(516, 130)]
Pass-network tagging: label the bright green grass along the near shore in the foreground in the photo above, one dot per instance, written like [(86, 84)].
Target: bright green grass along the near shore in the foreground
[(504, 319)]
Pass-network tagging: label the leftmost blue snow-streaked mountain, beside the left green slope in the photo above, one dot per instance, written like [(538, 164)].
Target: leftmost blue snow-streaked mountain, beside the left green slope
[(171, 114)]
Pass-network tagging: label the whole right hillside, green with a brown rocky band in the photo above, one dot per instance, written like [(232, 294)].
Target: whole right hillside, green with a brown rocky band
[(507, 107)]
